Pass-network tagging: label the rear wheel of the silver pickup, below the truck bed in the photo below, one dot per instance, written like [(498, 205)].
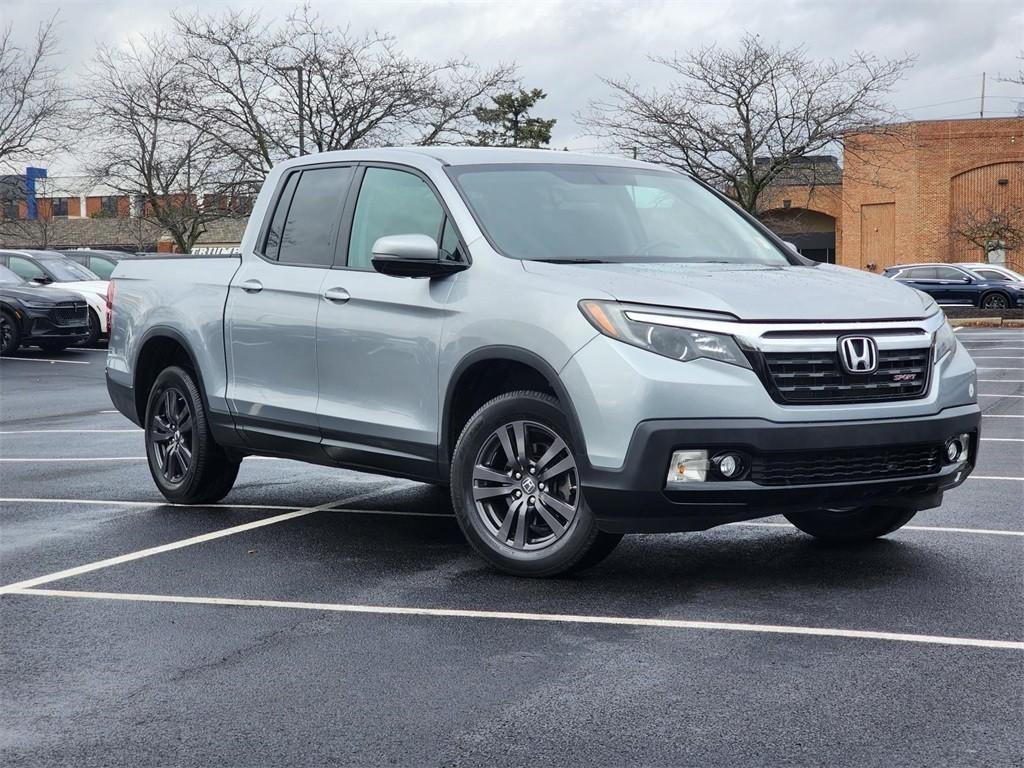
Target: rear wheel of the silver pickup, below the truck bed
[(186, 463)]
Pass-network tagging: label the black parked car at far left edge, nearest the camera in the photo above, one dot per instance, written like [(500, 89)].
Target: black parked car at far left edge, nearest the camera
[(46, 318)]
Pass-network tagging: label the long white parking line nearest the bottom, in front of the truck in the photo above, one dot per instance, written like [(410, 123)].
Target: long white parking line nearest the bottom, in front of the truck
[(503, 616)]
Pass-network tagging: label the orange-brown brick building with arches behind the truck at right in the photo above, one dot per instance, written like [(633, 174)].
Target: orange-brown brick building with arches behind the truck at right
[(904, 192)]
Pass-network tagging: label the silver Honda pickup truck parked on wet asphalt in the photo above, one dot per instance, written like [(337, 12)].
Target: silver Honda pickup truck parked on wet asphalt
[(580, 348)]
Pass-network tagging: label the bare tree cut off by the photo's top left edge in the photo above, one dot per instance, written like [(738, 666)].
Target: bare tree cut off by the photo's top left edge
[(33, 99)]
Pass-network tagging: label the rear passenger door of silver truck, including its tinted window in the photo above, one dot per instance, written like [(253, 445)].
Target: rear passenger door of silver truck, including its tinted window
[(271, 317)]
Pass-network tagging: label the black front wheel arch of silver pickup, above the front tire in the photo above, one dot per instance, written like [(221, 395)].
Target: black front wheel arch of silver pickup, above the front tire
[(480, 367)]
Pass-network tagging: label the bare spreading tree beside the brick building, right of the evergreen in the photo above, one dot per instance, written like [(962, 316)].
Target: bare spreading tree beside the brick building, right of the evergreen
[(740, 119)]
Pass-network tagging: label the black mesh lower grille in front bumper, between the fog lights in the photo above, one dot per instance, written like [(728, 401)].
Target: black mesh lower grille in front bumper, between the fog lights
[(847, 465)]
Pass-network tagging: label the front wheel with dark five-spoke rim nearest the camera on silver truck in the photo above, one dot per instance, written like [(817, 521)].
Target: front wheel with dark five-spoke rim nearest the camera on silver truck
[(558, 534)]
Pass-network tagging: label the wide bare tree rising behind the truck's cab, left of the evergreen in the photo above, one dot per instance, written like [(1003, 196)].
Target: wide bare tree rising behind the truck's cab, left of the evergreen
[(356, 91)]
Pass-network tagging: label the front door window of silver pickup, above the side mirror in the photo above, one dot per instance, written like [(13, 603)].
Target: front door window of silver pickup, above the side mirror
[(392, 203)]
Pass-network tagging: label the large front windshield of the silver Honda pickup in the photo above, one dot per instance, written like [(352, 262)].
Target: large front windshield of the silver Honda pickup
[(601, 214)]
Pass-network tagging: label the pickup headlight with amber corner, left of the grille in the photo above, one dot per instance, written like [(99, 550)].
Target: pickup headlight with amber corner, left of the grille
[(670, 342)]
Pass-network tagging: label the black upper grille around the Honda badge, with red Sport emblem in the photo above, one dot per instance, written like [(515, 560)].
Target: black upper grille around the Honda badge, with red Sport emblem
[(812, 378)]
